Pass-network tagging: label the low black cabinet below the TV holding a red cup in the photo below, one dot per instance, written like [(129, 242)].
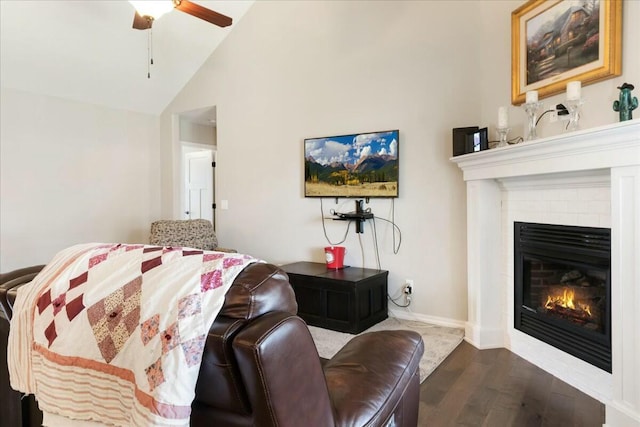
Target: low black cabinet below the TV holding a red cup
[(350, 299)]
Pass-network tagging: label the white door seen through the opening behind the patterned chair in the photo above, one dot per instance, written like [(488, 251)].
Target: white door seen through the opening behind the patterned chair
[(198, 169)]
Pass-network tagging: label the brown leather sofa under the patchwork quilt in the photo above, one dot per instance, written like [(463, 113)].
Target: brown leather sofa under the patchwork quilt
[(260, 366)]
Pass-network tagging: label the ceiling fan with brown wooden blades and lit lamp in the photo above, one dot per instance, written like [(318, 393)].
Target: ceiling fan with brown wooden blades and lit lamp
[(148, 11)]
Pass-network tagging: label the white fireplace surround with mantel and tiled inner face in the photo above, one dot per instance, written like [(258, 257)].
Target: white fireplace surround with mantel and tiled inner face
[(584, 178)]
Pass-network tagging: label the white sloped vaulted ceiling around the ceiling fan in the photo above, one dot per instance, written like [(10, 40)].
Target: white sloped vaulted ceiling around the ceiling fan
[(88, 51)]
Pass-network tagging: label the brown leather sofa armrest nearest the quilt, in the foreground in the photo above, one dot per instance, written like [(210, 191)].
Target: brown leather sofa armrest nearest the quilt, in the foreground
[(281, 370)]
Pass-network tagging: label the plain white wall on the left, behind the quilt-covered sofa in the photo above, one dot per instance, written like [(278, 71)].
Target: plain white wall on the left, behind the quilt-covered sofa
[(72, 173)]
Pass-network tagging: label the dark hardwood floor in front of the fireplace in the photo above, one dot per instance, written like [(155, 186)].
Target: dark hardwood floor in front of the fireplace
[(496, 388)]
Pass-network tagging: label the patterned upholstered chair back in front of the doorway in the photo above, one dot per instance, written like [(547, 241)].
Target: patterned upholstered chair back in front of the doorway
[(190, 233)]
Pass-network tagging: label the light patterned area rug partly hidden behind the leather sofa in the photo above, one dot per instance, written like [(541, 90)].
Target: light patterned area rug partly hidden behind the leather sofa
[(439, 341)]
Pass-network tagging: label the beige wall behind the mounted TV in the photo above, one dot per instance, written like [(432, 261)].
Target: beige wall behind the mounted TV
[(292, 70)]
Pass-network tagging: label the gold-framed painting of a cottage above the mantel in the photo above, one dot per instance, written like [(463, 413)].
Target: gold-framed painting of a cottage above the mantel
[(557, 41)]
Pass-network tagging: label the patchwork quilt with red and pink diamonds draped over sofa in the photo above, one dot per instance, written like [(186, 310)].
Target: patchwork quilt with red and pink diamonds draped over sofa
[(115, 333)]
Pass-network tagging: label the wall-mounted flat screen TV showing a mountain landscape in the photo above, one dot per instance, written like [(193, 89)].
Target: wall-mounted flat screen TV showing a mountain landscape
[(357, 165)]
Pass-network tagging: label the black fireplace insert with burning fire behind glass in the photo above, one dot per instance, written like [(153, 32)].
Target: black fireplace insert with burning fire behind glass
[(562, 294)]
